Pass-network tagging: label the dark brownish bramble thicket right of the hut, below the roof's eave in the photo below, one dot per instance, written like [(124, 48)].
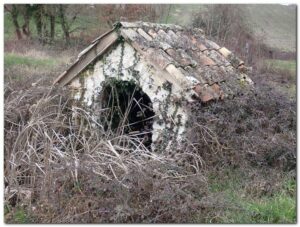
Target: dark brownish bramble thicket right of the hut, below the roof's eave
[(258, 129)]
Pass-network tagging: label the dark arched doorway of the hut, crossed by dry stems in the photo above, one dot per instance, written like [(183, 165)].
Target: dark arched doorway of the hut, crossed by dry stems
[(129, 109)]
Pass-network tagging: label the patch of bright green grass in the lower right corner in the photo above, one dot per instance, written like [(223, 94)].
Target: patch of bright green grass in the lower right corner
[(251, 202)]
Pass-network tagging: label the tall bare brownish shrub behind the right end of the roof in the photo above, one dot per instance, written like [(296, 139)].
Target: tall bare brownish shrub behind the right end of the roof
[(226, 24)]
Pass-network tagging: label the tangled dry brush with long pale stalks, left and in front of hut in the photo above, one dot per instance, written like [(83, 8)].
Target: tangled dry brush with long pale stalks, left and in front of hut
[(84, 174)]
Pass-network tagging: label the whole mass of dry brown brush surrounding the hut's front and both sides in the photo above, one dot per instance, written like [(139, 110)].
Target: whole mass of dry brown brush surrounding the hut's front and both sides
[(64, 172)]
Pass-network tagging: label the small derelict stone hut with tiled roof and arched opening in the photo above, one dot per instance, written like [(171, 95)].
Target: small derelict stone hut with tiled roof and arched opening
[(152, 70)]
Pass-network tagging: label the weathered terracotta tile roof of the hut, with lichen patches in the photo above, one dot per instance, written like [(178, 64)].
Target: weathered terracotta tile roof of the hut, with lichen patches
[(186, 54)]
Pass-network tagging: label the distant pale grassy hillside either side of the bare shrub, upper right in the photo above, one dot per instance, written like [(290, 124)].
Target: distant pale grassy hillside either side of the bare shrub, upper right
[(276, 22)]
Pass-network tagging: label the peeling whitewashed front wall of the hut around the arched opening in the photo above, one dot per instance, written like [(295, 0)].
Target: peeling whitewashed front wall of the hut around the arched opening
[(124, 63)]
